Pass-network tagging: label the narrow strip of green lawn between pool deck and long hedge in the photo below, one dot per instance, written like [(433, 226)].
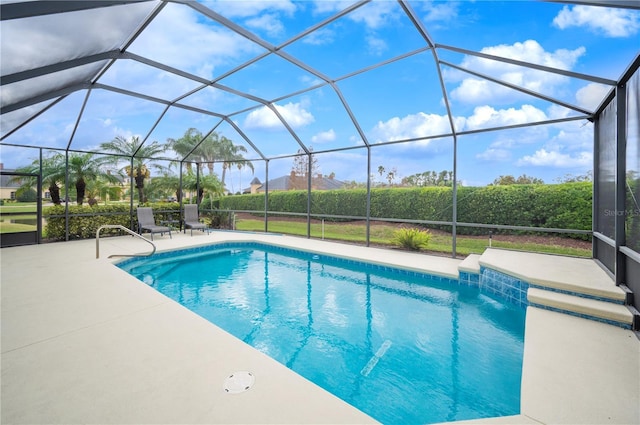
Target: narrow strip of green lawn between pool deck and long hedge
[(381, 234)]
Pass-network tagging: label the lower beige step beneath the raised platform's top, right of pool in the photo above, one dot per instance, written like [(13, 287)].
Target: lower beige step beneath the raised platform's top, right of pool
[(599, 310)]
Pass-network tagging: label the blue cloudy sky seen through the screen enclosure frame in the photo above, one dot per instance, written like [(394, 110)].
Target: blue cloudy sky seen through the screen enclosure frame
[(397, 101)]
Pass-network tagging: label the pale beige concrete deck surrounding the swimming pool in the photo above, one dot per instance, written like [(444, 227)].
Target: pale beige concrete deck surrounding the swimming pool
[(84, 342)]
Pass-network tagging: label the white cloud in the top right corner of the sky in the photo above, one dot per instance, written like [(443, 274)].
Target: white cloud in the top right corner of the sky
[(610, 22)]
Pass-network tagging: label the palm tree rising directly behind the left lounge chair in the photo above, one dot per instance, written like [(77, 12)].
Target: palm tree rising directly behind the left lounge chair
[(140, 154)]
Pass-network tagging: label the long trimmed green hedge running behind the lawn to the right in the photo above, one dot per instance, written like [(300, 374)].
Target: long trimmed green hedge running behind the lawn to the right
[(565, 206)]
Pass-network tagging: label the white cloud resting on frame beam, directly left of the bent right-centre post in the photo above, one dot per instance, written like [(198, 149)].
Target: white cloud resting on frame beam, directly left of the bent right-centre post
[(411, 127)]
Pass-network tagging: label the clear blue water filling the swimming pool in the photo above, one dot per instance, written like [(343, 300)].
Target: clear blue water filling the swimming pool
[(402, 347)]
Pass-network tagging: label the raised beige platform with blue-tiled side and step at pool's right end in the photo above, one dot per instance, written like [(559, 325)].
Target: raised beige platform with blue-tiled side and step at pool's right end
[(568, 285)]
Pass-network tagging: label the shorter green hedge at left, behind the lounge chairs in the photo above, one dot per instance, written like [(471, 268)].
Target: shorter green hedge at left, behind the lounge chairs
[(84, 220)]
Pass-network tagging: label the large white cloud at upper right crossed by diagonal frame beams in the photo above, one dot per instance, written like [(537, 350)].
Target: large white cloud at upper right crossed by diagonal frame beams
[(473, 90)]
